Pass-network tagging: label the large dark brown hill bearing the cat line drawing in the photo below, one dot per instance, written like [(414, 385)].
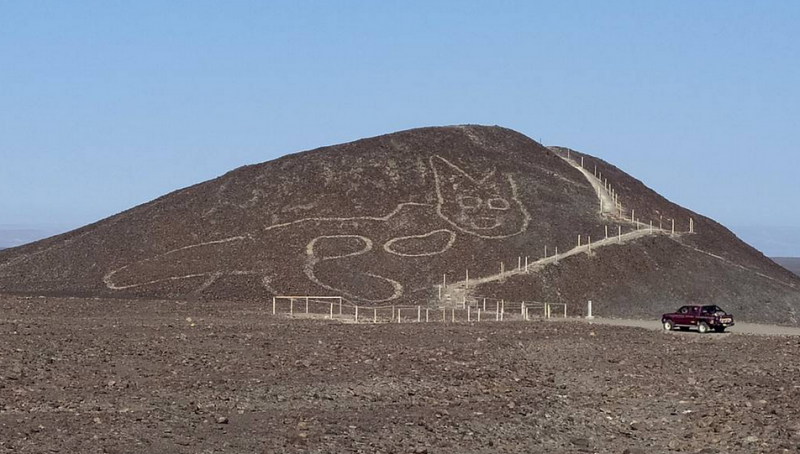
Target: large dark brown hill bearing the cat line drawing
[(384, 220)]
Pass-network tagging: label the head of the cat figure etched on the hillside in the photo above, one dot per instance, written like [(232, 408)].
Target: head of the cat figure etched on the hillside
[(486, 207)]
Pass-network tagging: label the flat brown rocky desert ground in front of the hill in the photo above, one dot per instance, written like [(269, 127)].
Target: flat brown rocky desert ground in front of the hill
[(123, 376)]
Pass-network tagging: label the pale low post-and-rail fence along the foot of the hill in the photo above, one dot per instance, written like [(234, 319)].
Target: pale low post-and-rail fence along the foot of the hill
[(336, 308)]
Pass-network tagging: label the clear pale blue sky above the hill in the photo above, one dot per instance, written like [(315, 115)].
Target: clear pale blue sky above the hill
[(108, 104)]
